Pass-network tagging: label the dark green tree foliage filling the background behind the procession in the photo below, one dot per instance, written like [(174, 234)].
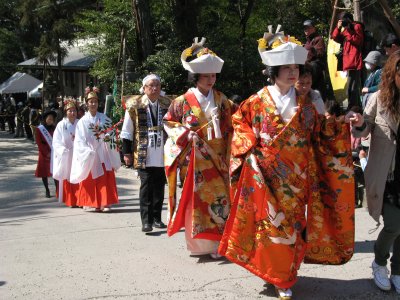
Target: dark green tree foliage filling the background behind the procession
[(40, 25)]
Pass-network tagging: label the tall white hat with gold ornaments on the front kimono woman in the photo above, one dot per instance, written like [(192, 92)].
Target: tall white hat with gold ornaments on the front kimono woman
[(284, 50)]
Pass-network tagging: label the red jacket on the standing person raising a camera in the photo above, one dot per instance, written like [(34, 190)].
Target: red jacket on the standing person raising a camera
[(352, 40)]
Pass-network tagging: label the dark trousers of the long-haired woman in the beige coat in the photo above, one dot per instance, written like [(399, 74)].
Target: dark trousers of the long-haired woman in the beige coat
[(388, 237)]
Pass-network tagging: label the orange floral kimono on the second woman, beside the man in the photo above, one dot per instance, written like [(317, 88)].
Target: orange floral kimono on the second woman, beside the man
[(203, 165)]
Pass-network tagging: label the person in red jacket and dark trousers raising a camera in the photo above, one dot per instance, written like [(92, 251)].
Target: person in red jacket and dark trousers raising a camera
[(351, 35)]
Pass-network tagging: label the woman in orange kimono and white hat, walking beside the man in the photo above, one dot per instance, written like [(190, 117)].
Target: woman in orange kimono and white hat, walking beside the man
[(199, 130)]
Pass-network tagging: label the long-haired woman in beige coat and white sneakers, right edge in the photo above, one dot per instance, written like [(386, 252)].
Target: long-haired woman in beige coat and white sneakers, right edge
[(382, 174)]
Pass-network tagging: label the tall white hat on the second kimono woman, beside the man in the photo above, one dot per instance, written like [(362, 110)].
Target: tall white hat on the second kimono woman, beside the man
[(205, 60)]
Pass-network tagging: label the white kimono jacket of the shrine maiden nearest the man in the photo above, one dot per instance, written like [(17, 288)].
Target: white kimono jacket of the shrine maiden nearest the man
[(90, 153)]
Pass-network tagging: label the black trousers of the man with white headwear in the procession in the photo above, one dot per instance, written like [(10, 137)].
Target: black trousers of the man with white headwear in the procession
[(152, 183)]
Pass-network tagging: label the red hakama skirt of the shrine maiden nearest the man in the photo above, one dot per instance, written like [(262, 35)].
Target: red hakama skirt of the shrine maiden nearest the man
[(99, 192)]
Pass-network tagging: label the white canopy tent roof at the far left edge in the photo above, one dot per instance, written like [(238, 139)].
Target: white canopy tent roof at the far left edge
[(19, 83)]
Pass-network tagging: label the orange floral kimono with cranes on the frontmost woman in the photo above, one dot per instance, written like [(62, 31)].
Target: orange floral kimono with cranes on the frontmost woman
[(292, 191)]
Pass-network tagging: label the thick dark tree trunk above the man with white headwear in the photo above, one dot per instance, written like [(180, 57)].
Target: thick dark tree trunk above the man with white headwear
[(141, 11)]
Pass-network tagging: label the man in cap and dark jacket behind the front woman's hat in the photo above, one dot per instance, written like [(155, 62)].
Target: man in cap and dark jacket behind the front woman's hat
[(316, 57)]
